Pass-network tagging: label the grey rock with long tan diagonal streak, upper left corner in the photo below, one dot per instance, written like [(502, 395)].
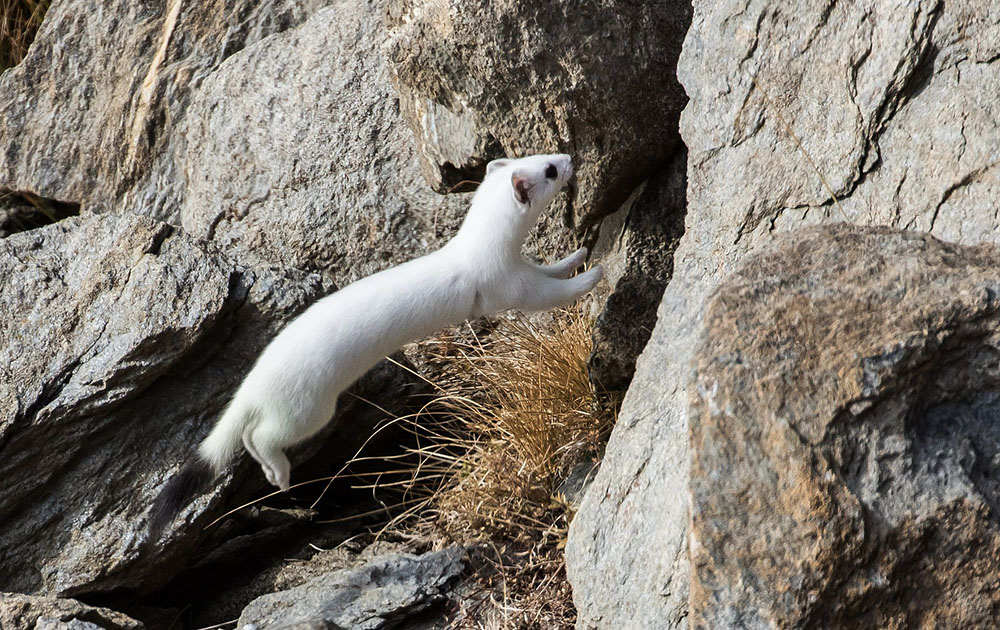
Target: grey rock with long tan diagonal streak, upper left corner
[(91, 114)]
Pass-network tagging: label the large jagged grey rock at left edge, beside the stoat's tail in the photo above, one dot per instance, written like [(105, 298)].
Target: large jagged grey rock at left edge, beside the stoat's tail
[(99, 313)]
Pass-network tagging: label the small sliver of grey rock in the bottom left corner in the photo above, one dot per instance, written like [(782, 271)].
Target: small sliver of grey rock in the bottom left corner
[(49, 613)]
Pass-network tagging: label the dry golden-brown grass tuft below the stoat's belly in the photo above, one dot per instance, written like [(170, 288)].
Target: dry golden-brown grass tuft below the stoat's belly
[(514, 415)]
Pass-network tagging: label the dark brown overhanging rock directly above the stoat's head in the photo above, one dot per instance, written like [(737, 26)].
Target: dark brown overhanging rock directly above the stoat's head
[(594, 79)]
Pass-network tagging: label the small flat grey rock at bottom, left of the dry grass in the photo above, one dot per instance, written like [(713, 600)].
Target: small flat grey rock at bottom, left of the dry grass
[(378, 595)]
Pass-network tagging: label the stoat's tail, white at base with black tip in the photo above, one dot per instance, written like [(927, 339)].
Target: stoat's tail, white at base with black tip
[(213, 456)]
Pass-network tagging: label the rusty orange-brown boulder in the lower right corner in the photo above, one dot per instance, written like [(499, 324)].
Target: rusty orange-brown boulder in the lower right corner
[(844, 438)]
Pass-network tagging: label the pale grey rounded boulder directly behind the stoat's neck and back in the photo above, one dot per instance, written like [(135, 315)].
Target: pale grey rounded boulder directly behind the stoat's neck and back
[(296, 154)]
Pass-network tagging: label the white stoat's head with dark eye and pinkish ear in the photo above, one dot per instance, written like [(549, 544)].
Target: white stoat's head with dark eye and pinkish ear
[(532, 181)]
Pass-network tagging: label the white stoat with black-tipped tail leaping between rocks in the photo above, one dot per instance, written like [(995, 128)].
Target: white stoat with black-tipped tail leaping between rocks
[(291, 392)]
